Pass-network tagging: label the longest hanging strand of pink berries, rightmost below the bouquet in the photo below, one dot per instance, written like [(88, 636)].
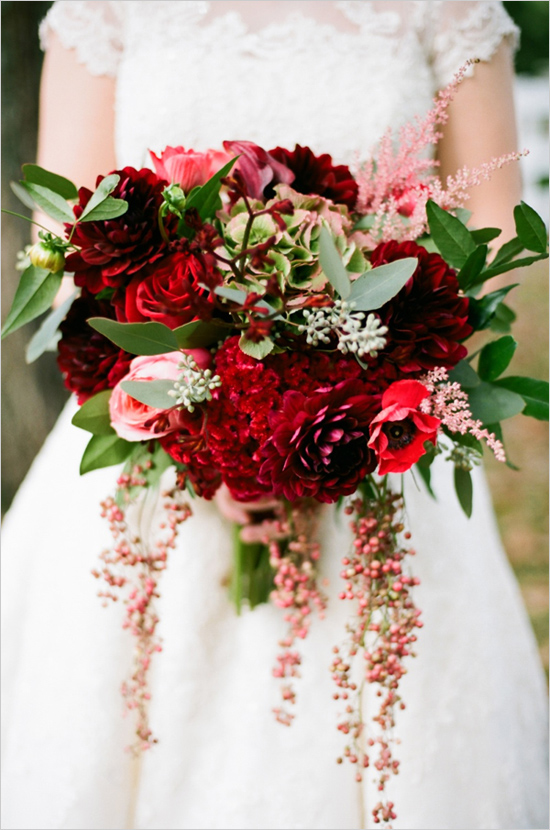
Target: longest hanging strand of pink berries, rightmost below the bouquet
[(382, 631)]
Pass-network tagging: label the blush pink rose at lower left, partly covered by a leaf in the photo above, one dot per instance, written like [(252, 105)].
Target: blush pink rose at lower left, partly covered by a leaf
[(135, 421)]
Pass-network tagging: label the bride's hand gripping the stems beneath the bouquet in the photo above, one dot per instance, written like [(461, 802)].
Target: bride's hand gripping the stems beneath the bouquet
[(261, 519)]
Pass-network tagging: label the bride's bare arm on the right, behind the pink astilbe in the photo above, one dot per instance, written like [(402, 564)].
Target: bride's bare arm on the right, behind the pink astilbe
[(481, 126)]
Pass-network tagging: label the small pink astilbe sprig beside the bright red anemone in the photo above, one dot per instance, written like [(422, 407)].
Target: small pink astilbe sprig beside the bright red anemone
[(449, 402)]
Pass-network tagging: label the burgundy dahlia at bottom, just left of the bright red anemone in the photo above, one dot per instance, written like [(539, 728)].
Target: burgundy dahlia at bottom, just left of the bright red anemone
[(319, 444)]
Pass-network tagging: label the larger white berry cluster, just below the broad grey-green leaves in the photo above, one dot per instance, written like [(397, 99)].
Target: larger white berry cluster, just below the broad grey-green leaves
[(355, 334)]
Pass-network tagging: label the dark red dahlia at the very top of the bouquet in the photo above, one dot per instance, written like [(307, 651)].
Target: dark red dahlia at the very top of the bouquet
[(317, 174)]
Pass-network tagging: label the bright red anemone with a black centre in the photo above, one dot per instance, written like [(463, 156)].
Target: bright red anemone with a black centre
[(399, 432)]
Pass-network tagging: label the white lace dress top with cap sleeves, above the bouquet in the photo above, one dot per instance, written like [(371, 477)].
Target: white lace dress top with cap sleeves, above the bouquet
[(332, 75)]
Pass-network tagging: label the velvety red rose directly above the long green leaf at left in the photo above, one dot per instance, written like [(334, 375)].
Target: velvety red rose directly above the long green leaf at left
[(169, 290)]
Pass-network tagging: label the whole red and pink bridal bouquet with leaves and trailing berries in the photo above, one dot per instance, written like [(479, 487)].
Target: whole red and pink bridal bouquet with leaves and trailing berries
[(268, 322)]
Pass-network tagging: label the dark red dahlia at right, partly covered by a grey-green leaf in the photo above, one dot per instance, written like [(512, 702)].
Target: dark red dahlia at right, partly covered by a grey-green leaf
[(428, 318)]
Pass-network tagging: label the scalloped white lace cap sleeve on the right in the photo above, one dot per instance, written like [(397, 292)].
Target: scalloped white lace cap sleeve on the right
[(457, 32)]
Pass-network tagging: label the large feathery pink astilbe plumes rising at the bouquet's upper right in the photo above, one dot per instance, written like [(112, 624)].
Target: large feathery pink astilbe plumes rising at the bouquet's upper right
[(397, 182)]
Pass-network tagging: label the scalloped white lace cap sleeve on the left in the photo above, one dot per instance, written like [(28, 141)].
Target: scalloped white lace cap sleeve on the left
[(92, 28)]
